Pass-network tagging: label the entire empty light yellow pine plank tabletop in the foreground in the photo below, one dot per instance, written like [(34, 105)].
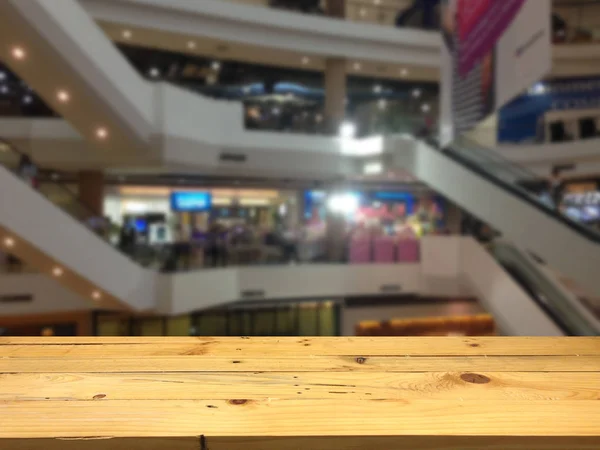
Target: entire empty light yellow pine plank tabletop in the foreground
[(299, 393)]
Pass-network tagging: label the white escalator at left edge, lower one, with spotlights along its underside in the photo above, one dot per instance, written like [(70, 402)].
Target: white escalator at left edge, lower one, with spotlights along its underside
[(61, 242)]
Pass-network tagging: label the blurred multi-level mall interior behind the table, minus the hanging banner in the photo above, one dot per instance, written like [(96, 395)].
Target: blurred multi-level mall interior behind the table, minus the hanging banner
[(273, 168)]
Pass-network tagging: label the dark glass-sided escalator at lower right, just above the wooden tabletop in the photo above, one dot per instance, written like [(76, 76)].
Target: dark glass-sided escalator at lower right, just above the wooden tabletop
[(572, 316)]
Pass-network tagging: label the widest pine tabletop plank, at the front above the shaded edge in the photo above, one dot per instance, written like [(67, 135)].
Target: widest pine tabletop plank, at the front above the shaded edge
[(268, 417)]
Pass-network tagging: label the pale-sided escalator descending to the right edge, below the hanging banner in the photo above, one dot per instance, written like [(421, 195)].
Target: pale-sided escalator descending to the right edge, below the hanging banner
[(493, 189)]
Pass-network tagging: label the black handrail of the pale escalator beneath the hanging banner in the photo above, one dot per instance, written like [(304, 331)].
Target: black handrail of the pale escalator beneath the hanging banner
[(517, 191)]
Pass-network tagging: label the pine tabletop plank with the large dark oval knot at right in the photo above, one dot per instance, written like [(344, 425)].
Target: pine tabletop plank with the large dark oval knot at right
[(446, 386)]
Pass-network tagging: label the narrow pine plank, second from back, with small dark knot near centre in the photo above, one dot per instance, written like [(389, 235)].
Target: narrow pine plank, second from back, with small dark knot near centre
[(306, 364)]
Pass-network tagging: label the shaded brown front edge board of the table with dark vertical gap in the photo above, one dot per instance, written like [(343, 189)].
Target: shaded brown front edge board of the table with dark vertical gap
[(310, 443)]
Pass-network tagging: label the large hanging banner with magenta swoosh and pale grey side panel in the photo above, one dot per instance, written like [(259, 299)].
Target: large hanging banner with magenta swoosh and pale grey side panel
[(492, 51)]
